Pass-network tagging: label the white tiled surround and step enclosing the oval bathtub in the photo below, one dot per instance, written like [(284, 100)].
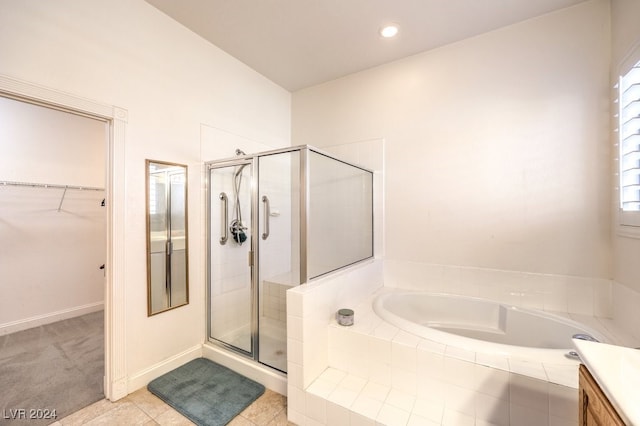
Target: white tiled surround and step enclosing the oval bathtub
[(372, 371)]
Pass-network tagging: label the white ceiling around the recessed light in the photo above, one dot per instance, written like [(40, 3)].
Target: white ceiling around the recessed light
[(301, 43)]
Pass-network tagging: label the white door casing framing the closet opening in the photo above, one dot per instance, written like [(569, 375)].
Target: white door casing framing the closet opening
[(114, 302)]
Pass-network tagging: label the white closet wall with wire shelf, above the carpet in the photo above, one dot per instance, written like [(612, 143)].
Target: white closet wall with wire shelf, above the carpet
[(52, 242)]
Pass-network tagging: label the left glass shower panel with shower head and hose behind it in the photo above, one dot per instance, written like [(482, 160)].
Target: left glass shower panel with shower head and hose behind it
[(230, 249)]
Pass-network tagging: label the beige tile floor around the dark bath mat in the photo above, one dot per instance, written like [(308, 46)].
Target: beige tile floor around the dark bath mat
[(144, 408)]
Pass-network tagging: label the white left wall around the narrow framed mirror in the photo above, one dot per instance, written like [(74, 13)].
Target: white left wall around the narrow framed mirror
[(128, 54)]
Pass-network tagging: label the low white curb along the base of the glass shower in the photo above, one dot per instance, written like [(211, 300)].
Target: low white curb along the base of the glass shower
[(271, 379)]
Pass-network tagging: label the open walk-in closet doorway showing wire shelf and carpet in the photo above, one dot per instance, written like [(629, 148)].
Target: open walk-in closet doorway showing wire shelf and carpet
[(53, 228)]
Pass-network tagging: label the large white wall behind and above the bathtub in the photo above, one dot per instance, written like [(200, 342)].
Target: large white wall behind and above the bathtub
[(496, 146)]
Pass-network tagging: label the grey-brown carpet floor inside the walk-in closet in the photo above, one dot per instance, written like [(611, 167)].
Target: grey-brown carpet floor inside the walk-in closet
[(58, 366)]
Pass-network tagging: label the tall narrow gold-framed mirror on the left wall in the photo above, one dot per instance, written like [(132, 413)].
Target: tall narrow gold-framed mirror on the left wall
[(167, 253)]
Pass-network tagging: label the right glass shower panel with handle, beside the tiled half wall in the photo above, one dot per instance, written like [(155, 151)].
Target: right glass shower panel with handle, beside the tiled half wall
[(279, 251)]
